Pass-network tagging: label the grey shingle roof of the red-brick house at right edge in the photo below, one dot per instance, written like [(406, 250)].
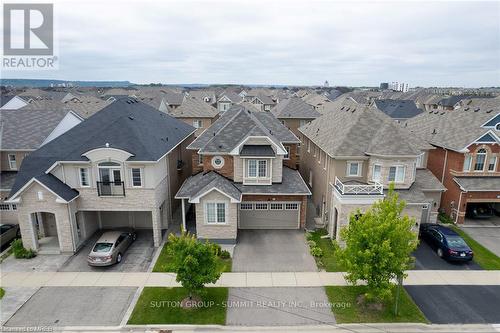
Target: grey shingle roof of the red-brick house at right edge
[(455, 129)]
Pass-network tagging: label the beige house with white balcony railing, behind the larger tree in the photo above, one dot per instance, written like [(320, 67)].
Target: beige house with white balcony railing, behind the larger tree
[(351, 155)]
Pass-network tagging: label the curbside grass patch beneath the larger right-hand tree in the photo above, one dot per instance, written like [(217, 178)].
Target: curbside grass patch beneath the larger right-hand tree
[(346, 309)]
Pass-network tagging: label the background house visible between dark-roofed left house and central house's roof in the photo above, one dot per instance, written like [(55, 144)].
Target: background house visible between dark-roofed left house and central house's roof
[(196, 113)]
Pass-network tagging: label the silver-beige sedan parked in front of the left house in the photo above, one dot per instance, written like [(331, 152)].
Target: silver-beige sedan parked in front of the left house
[(110, 247)]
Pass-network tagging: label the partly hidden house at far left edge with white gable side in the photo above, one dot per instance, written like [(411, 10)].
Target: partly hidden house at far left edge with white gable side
[(21, 132)]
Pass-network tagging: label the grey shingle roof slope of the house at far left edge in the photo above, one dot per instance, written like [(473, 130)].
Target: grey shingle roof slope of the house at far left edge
[(27, 129)]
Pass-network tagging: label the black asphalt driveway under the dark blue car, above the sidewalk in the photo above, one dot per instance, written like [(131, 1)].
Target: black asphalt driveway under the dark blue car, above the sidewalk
[(426, 258)]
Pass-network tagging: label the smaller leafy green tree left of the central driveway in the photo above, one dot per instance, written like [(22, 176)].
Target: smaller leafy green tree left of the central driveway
[(194, 262)]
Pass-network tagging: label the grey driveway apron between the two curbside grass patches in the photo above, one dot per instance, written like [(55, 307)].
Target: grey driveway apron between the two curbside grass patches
[(278, 306)]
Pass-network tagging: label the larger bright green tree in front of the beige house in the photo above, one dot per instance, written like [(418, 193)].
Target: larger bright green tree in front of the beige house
[(378, 244)]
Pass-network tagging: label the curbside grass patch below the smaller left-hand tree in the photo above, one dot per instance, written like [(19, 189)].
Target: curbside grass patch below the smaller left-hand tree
[(158, 305)]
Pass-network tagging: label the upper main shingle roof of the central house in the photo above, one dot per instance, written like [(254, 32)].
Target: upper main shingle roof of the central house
[(237, 124)]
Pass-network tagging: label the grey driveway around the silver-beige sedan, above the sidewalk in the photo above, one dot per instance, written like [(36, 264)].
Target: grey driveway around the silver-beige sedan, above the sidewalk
[(137, 258)]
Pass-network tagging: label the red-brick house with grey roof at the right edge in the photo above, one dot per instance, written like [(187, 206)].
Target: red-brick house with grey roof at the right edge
[(466, 154)]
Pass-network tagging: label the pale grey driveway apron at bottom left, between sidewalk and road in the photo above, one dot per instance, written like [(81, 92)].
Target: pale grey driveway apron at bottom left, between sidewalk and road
[(74, 306)]
